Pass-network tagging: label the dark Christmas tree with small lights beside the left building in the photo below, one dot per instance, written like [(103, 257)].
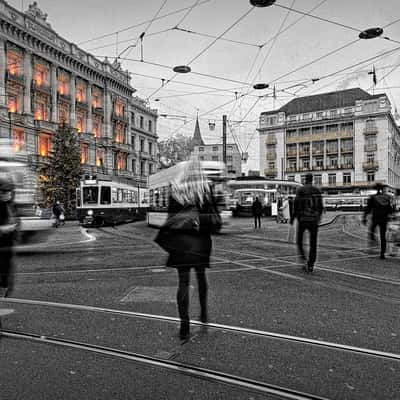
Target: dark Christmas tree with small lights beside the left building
[(60, 178)]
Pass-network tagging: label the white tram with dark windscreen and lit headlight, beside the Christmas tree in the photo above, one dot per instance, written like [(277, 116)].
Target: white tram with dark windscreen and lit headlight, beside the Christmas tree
[(102, 201)]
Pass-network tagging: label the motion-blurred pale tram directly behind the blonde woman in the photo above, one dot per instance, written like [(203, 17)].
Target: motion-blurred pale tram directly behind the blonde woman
[(159, 190)]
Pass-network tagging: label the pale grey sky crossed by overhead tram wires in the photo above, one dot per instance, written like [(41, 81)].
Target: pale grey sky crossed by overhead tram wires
[(275, 62)]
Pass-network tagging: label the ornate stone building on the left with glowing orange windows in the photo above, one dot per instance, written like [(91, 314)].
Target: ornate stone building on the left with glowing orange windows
[(46, 81)]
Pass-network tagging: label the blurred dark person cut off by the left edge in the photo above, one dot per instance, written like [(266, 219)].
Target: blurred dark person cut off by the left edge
[(8, 228)]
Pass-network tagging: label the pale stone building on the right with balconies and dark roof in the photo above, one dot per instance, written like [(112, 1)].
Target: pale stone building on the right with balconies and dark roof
[(348, 139)]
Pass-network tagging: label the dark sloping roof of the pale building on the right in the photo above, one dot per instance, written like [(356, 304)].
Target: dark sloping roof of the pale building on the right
[(324, 101)]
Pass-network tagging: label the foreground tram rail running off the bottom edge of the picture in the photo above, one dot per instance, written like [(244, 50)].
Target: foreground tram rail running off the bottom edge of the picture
[(204, 374)]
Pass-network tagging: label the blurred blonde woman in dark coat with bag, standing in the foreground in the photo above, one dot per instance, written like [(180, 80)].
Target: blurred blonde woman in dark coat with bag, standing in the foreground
[(186, 235)]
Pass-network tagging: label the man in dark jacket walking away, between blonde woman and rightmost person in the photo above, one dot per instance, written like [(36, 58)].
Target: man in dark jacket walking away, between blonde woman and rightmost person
[(307, 210)]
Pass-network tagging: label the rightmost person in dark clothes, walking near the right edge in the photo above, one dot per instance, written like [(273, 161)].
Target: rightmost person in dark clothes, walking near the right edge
[(379, 206)]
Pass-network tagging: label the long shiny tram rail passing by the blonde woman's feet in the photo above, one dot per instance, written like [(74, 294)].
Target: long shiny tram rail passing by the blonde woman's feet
[(221, 327)]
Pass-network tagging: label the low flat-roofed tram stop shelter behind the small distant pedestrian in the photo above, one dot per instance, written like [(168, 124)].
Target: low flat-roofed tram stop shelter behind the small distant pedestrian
[(244, 190)]
